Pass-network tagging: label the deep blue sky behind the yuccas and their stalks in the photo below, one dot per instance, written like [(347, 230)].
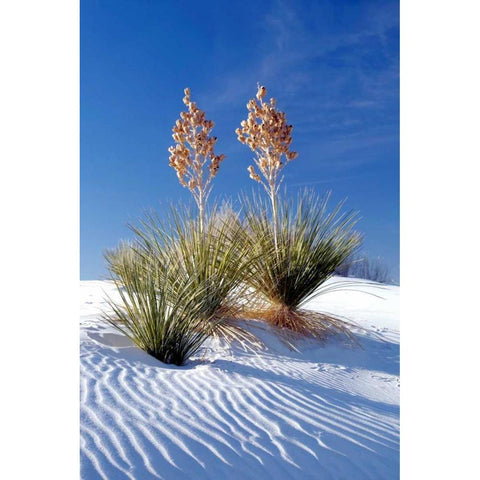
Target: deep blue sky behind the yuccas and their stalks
[(333, 67)]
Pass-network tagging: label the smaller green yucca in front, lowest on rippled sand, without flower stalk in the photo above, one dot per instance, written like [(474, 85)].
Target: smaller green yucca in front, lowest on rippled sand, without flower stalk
[(164, 318)]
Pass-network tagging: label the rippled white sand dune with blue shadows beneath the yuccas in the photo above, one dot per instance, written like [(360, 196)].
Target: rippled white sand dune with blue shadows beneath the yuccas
[(327, 412)]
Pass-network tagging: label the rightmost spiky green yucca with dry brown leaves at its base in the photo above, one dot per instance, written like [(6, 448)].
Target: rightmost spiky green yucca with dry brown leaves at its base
[(289, 266)]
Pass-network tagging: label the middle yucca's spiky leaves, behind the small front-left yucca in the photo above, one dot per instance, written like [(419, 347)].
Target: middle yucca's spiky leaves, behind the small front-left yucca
[(211, 256)]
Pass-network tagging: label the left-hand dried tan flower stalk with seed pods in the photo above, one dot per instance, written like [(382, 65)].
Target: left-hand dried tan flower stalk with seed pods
[(193, 156)]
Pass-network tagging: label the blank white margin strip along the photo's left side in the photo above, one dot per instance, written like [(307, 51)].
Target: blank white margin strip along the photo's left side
[(39, 101)]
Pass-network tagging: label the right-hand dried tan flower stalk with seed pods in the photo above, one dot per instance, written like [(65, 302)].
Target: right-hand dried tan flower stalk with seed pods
[(268, 135)]
